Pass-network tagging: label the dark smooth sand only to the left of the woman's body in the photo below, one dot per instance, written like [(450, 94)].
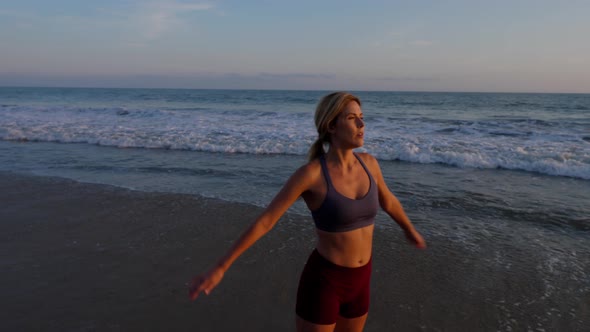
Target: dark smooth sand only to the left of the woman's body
[(84, 257)]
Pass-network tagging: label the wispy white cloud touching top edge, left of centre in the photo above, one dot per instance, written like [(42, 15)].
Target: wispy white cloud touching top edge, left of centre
[(155, 18)]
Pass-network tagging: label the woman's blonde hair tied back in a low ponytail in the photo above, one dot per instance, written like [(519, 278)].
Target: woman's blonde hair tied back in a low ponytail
[(326, 114)]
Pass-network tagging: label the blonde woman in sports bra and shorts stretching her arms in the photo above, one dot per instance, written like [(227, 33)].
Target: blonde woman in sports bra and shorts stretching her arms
[(343, 190)]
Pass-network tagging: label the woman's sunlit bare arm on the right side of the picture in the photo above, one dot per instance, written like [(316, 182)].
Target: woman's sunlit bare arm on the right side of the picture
[(391, 205)]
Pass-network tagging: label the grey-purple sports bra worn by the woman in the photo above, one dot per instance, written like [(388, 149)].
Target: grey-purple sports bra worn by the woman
[(339, 213)]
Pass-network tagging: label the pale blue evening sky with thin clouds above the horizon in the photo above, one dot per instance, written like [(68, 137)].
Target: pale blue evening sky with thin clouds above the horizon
[(419, 45)]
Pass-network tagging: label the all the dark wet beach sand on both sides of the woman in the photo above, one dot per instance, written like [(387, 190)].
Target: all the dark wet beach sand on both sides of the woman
[(87, 257)]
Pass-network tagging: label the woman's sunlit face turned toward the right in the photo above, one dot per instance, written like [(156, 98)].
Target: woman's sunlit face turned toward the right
[(349, 129)]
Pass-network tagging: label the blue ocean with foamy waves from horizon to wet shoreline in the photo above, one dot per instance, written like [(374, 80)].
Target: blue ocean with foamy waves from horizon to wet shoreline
[(504, 176)]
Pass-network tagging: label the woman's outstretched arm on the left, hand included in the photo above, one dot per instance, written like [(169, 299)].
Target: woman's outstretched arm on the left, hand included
[(298, 183)]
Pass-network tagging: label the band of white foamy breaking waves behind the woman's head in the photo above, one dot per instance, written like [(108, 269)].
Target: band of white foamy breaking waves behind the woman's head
[(553, 148)]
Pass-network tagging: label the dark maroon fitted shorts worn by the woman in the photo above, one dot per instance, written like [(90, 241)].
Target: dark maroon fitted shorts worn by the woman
[(327, 290)]
